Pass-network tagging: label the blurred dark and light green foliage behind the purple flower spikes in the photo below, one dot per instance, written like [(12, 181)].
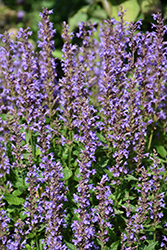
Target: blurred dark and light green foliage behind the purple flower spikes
[(23, 13)]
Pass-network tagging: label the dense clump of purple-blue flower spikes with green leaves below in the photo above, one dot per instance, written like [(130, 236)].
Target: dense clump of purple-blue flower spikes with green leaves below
[(83, 158)]
